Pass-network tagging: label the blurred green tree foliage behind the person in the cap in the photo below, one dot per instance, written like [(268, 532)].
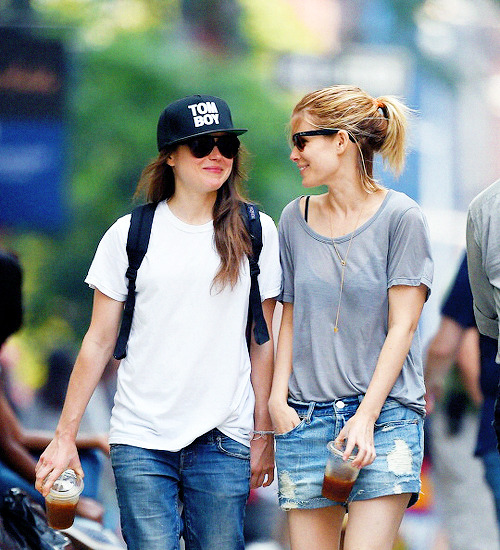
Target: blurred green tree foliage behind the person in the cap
[(115, 96)]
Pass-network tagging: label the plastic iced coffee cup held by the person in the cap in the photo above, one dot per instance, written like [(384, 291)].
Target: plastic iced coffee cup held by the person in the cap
[(62, 500)]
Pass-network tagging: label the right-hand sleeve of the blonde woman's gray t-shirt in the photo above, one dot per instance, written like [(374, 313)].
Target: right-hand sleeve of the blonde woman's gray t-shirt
[(409, 259)]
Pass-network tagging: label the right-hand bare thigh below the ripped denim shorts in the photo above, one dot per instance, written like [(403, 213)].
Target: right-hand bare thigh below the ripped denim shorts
[(375, 523)]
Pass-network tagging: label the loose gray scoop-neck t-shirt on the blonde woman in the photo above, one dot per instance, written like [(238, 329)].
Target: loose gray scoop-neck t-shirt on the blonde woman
[(391, 248)]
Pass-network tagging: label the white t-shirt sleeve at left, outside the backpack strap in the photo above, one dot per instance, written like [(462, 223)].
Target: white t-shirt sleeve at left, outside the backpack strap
[(110, 263)]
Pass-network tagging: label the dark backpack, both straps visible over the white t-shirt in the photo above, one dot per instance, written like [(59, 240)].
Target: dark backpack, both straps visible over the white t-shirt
[(137, 245)]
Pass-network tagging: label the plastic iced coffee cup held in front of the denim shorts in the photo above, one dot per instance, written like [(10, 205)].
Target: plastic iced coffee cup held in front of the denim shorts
[(340, 474)]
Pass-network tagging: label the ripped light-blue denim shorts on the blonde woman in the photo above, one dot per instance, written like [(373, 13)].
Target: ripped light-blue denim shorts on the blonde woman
[(301, 453)]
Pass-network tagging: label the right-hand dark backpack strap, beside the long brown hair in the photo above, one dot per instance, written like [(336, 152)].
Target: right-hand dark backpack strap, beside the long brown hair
[(251, 217)]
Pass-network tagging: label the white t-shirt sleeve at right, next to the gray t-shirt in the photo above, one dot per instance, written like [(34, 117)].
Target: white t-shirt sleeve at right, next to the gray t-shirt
[(269, 262)]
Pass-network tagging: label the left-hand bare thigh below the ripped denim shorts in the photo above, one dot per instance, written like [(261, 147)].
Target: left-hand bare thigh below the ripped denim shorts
[(319, 528)]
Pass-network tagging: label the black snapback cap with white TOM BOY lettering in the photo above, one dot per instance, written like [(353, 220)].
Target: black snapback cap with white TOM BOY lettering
[(192, 116)]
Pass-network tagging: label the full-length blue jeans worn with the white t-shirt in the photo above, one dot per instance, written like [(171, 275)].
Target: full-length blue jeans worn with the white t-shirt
[(199, 492)]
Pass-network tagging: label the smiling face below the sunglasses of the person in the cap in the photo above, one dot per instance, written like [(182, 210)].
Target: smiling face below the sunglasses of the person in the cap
[(200, 175)]
